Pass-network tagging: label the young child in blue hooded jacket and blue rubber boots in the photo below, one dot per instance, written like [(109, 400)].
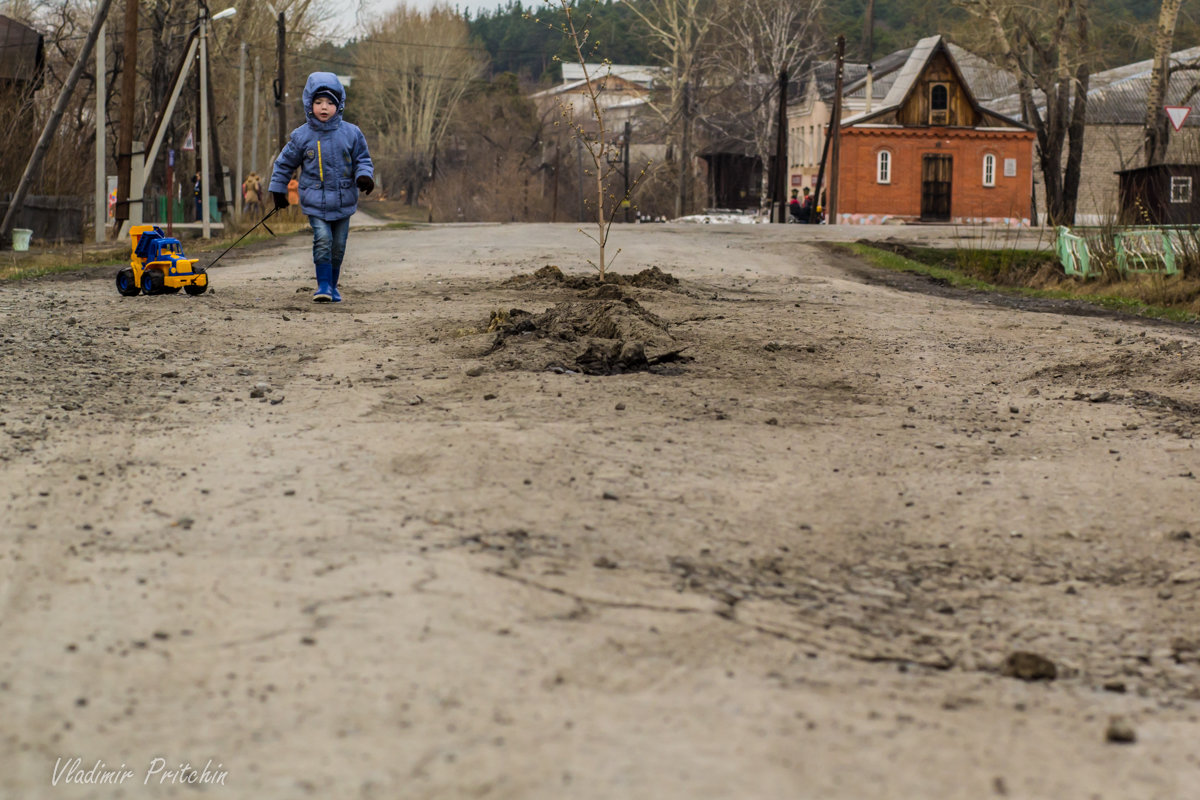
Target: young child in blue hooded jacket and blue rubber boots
[(334, 165)]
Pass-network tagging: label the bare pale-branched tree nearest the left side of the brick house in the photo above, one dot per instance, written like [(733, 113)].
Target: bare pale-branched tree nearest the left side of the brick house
[(761, 39)]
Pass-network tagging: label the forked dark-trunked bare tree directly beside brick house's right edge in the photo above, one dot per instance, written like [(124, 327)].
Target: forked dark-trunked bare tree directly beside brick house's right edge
[(1048, 53)]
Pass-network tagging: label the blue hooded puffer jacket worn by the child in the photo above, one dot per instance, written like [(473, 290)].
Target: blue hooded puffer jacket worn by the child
[(331, 155)]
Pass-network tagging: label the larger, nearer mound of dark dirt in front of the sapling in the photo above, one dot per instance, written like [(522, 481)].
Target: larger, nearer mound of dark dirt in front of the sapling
[(597, 338)]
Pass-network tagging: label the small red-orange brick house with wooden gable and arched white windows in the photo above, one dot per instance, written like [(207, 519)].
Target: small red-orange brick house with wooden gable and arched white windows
[(932, 153)]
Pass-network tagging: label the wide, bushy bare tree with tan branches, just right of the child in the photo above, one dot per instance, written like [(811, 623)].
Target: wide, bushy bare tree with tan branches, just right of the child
[(413, 69)]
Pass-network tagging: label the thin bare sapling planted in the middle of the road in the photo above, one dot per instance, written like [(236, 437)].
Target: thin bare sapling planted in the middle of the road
[(604, 152)]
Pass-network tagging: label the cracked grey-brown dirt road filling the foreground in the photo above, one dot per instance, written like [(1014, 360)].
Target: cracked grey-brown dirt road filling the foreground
[(376, 551)]
